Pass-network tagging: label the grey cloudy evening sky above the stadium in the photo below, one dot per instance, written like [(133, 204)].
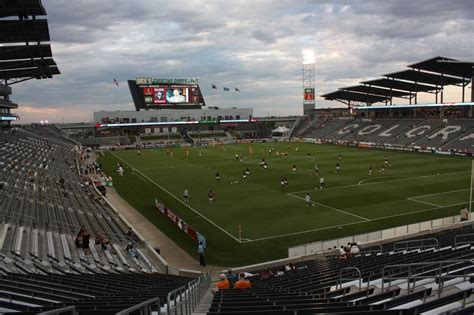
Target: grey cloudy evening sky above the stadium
[(253, 45)]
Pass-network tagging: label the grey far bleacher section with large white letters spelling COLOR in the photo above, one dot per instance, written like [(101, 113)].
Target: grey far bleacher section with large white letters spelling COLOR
[(434, 133)]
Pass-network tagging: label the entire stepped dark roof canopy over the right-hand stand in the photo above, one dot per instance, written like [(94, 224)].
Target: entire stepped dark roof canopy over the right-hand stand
[(429, 76)]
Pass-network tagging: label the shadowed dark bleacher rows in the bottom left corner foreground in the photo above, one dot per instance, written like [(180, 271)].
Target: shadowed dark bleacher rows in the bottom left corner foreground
[(88, 293)]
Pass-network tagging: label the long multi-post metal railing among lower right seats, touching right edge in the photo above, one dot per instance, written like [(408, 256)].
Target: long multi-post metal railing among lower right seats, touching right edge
[(418, 271)]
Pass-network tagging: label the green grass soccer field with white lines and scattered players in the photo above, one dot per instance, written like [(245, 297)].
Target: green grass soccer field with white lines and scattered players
[(415, 187)]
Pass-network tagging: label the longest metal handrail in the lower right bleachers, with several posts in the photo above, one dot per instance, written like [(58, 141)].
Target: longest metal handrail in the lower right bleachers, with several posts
[(413, 273)]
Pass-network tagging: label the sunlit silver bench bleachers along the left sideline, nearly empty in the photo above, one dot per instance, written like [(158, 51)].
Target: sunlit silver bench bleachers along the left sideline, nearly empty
[(44, 203)]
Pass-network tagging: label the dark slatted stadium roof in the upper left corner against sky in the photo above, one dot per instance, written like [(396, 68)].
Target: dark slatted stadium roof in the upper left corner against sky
[(25, 54)]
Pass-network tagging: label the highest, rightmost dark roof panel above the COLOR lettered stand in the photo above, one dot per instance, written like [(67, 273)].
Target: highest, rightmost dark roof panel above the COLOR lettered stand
[(463, 69)]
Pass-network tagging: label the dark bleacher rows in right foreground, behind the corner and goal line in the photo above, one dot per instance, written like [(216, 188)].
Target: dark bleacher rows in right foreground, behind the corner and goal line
[(433, 280)]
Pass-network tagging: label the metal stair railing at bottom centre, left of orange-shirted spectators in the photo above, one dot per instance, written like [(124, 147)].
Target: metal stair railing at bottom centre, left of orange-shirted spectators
[(185, 299)]
